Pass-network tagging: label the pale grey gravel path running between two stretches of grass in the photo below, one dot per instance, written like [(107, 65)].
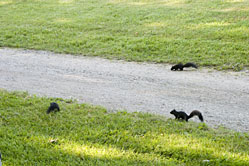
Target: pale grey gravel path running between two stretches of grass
[(223, 97)]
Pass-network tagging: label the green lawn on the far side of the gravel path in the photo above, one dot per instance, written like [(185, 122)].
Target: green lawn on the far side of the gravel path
[(208, 32)]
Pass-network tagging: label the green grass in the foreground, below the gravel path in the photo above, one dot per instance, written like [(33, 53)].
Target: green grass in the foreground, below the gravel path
[(87, 135)]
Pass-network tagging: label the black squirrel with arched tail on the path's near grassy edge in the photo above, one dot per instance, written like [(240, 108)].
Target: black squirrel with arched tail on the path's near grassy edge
[(184, 116)]
